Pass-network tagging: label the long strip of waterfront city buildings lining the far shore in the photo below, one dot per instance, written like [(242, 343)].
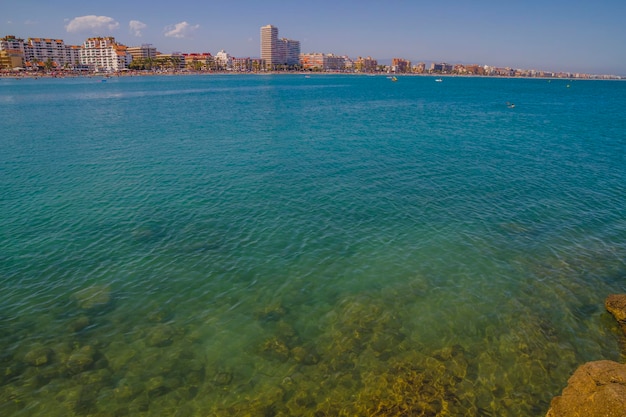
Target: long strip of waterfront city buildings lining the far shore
[(277, 54)]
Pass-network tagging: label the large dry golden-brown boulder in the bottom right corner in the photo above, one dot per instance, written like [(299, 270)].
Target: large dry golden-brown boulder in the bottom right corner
[(595, 389)]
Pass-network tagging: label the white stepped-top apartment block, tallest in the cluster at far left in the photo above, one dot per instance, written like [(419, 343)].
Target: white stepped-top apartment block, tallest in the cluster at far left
[(105, 55)]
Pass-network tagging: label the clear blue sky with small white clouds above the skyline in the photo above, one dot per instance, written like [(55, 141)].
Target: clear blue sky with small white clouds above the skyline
[(577, 36)]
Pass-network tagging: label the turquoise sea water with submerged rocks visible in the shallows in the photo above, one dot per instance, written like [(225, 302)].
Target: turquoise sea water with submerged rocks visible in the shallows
[(282, 245)]
